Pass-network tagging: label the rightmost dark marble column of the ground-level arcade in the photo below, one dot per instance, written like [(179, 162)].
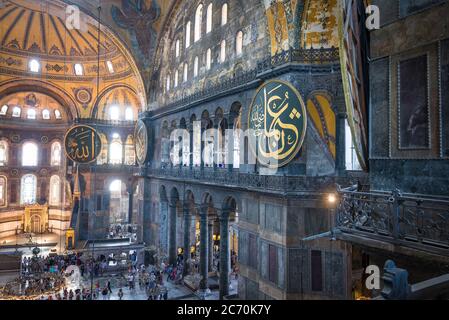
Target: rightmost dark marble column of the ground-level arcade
[(224, 254)]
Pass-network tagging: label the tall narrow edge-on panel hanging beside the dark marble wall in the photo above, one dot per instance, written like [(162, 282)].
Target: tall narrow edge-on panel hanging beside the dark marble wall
[(354, 71)]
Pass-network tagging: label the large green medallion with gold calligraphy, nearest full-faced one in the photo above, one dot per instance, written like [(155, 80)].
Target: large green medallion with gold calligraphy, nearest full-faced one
[(277, 121)]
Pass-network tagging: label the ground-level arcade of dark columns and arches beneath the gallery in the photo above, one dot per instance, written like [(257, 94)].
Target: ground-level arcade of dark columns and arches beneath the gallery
[(202, 229)]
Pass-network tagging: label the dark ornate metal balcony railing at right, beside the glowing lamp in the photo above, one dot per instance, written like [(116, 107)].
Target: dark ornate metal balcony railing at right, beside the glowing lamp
[(400, 217)]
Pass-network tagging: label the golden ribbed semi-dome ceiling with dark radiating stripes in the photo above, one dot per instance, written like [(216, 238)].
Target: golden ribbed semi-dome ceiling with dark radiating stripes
[(26, 27)]
